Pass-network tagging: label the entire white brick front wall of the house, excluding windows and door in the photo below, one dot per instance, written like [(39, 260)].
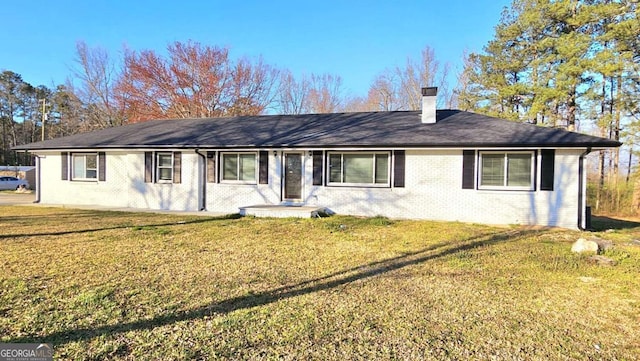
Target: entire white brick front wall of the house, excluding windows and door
[(433, 190)]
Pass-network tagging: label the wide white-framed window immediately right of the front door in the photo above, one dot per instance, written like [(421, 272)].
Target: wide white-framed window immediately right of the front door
[(359, 169)]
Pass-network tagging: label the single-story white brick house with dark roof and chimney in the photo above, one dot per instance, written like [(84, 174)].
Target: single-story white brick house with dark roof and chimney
[(439, 165)]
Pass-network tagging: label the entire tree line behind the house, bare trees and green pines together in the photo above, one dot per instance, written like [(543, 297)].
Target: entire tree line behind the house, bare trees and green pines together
[(565, 63)]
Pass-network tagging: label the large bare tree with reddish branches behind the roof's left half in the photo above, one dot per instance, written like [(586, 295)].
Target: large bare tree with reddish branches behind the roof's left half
[(194, 81)]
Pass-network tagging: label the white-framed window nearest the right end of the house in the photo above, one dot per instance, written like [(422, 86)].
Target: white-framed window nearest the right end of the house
[(507, 170)]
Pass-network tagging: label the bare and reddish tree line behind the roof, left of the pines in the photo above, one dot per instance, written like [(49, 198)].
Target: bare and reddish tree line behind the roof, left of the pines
[(193, 80)]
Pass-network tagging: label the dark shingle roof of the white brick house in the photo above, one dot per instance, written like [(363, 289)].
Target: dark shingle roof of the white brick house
[(402, 129)]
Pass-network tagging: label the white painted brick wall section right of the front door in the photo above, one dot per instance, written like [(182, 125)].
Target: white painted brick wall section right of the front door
[(433, 190)]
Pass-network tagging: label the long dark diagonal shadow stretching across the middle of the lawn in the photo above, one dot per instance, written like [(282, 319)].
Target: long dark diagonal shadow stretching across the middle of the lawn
[(267, 297)]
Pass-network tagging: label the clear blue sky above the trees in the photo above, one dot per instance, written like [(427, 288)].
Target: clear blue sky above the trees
[(353, 39)]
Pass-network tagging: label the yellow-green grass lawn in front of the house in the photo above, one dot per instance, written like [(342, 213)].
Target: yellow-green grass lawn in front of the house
[(110, 285)]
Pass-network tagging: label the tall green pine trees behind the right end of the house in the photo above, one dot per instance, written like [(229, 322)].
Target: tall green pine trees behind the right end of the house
[(569, 63)]
